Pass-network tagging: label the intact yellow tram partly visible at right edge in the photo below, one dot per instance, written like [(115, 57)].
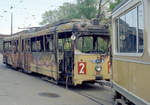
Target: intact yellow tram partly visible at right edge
[(131, 52)]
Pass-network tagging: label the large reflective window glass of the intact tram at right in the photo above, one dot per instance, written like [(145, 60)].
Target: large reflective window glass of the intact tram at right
[(128, 39)]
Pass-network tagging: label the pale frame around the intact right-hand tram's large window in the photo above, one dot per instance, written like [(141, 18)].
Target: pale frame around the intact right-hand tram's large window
[(138, 51)]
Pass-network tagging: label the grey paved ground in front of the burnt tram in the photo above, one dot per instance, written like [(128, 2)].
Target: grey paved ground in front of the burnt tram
[(17, 88)]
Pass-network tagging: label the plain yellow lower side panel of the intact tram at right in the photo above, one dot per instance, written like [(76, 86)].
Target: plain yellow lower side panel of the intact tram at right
[(133, 77)]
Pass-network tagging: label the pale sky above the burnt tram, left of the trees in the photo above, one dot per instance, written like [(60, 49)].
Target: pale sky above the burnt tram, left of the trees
[(26, 13)]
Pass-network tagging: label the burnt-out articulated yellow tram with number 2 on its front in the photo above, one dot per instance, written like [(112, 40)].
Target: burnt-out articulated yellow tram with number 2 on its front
[(70, 51)]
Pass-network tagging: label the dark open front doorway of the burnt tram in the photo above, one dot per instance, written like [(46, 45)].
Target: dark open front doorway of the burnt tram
[(66, 55)]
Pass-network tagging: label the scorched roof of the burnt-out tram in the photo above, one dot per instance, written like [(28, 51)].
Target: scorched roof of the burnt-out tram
[(71, 25)]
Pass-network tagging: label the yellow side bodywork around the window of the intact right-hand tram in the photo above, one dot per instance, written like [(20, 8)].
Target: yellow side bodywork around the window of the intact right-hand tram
[(131, 73)]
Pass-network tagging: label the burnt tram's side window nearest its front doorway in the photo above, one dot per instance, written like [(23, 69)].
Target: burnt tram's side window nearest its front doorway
[(49, 43)]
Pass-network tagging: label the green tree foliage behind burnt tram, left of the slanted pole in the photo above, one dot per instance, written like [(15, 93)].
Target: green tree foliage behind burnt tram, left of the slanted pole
[(82, 9)]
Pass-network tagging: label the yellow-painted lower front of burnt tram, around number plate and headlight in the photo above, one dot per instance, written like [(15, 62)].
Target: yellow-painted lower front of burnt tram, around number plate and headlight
[(90, 68)]
